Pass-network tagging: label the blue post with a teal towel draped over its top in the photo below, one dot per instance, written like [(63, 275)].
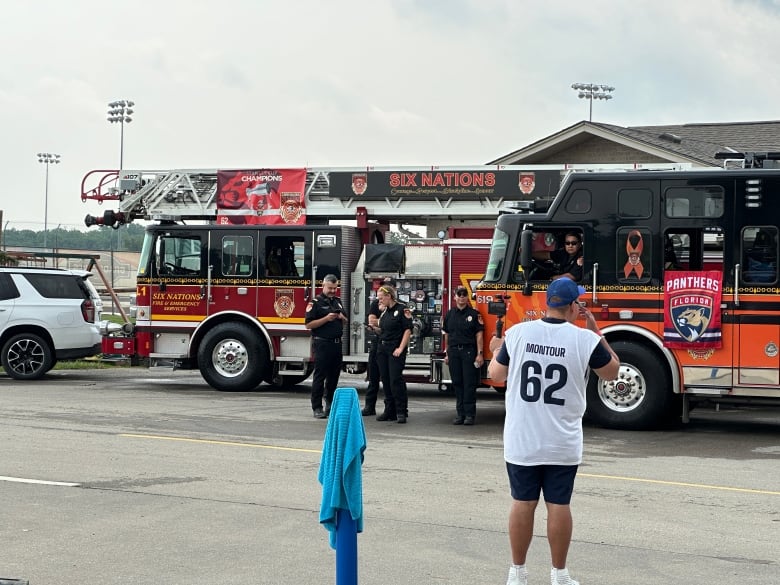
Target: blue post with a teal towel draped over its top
[(341, 511)]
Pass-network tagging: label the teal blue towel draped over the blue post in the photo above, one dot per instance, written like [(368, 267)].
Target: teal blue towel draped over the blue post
[(342, 457)]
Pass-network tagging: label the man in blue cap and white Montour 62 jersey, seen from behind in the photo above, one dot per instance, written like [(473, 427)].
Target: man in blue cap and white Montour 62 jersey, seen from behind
[(545, 364)]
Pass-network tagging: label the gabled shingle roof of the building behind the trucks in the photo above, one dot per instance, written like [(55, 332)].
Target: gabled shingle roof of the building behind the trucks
[(692, 143)]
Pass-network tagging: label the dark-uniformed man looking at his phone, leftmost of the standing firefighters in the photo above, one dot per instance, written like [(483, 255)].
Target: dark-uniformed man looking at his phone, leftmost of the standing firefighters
[(325, 317)]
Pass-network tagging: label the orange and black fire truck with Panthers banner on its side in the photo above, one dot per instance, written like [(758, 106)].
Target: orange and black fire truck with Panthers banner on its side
[(680, 269)]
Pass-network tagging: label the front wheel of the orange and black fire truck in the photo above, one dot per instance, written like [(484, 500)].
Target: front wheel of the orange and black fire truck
[(640, 398)]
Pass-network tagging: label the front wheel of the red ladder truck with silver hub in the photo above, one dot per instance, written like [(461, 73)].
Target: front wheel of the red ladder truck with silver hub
[(232, 358)]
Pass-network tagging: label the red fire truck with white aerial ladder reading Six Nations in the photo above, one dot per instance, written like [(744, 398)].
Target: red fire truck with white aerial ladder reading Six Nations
[(231, 259)]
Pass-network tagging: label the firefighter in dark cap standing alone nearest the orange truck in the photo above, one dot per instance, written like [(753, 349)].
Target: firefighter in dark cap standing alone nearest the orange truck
[(463, 327)]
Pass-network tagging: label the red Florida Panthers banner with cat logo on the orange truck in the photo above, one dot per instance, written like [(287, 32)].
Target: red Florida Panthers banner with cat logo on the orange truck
[(692, 309)]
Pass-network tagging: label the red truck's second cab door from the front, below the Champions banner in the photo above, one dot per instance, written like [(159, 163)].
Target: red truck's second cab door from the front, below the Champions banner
[(235, 264)]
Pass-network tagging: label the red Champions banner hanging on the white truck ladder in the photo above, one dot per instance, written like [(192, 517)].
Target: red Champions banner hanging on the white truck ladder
[(261, 196)]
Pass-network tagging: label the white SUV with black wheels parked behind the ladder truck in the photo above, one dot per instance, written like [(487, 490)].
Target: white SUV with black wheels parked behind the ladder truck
[(45, 315)]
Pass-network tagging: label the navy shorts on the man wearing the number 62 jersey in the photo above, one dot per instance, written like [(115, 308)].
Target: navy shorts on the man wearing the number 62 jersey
[(556, 482)]
